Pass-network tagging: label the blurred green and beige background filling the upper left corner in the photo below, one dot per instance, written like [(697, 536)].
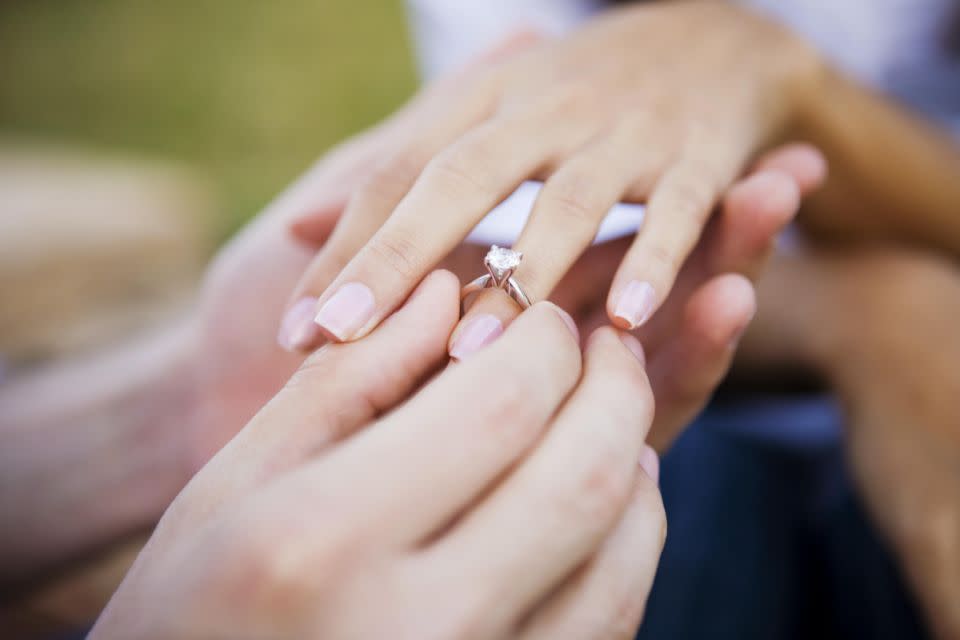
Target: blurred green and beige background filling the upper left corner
[(135, 136)]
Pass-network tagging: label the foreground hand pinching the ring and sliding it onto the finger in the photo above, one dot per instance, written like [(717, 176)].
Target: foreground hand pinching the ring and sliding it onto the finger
[(499, 501)]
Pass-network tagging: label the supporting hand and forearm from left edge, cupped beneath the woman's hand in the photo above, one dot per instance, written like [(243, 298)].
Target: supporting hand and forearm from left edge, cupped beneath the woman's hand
[(198, 383)]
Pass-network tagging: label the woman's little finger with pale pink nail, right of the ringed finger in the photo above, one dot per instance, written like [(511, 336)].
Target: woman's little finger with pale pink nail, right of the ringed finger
[(676, 214)]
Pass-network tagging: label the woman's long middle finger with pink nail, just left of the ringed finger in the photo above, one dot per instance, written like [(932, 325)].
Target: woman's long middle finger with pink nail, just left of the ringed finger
[(456, 189)]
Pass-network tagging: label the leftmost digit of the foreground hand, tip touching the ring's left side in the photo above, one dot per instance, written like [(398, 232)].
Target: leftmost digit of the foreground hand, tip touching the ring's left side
[(342, 387)]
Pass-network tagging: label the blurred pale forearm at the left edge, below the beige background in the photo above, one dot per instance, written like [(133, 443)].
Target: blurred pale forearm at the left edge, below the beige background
[(90, 451)]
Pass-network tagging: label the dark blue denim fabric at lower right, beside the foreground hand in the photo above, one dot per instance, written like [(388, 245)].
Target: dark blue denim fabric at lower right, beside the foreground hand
[(767, 538)]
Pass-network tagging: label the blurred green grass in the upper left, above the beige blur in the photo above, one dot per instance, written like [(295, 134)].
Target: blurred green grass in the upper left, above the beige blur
[(246, 92)]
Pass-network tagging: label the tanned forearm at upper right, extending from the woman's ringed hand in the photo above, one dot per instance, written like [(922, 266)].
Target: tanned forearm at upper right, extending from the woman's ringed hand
[(892, 175)]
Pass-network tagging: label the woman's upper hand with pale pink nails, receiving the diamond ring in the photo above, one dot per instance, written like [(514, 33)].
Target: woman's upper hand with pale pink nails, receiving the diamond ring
[(663, 103)]
